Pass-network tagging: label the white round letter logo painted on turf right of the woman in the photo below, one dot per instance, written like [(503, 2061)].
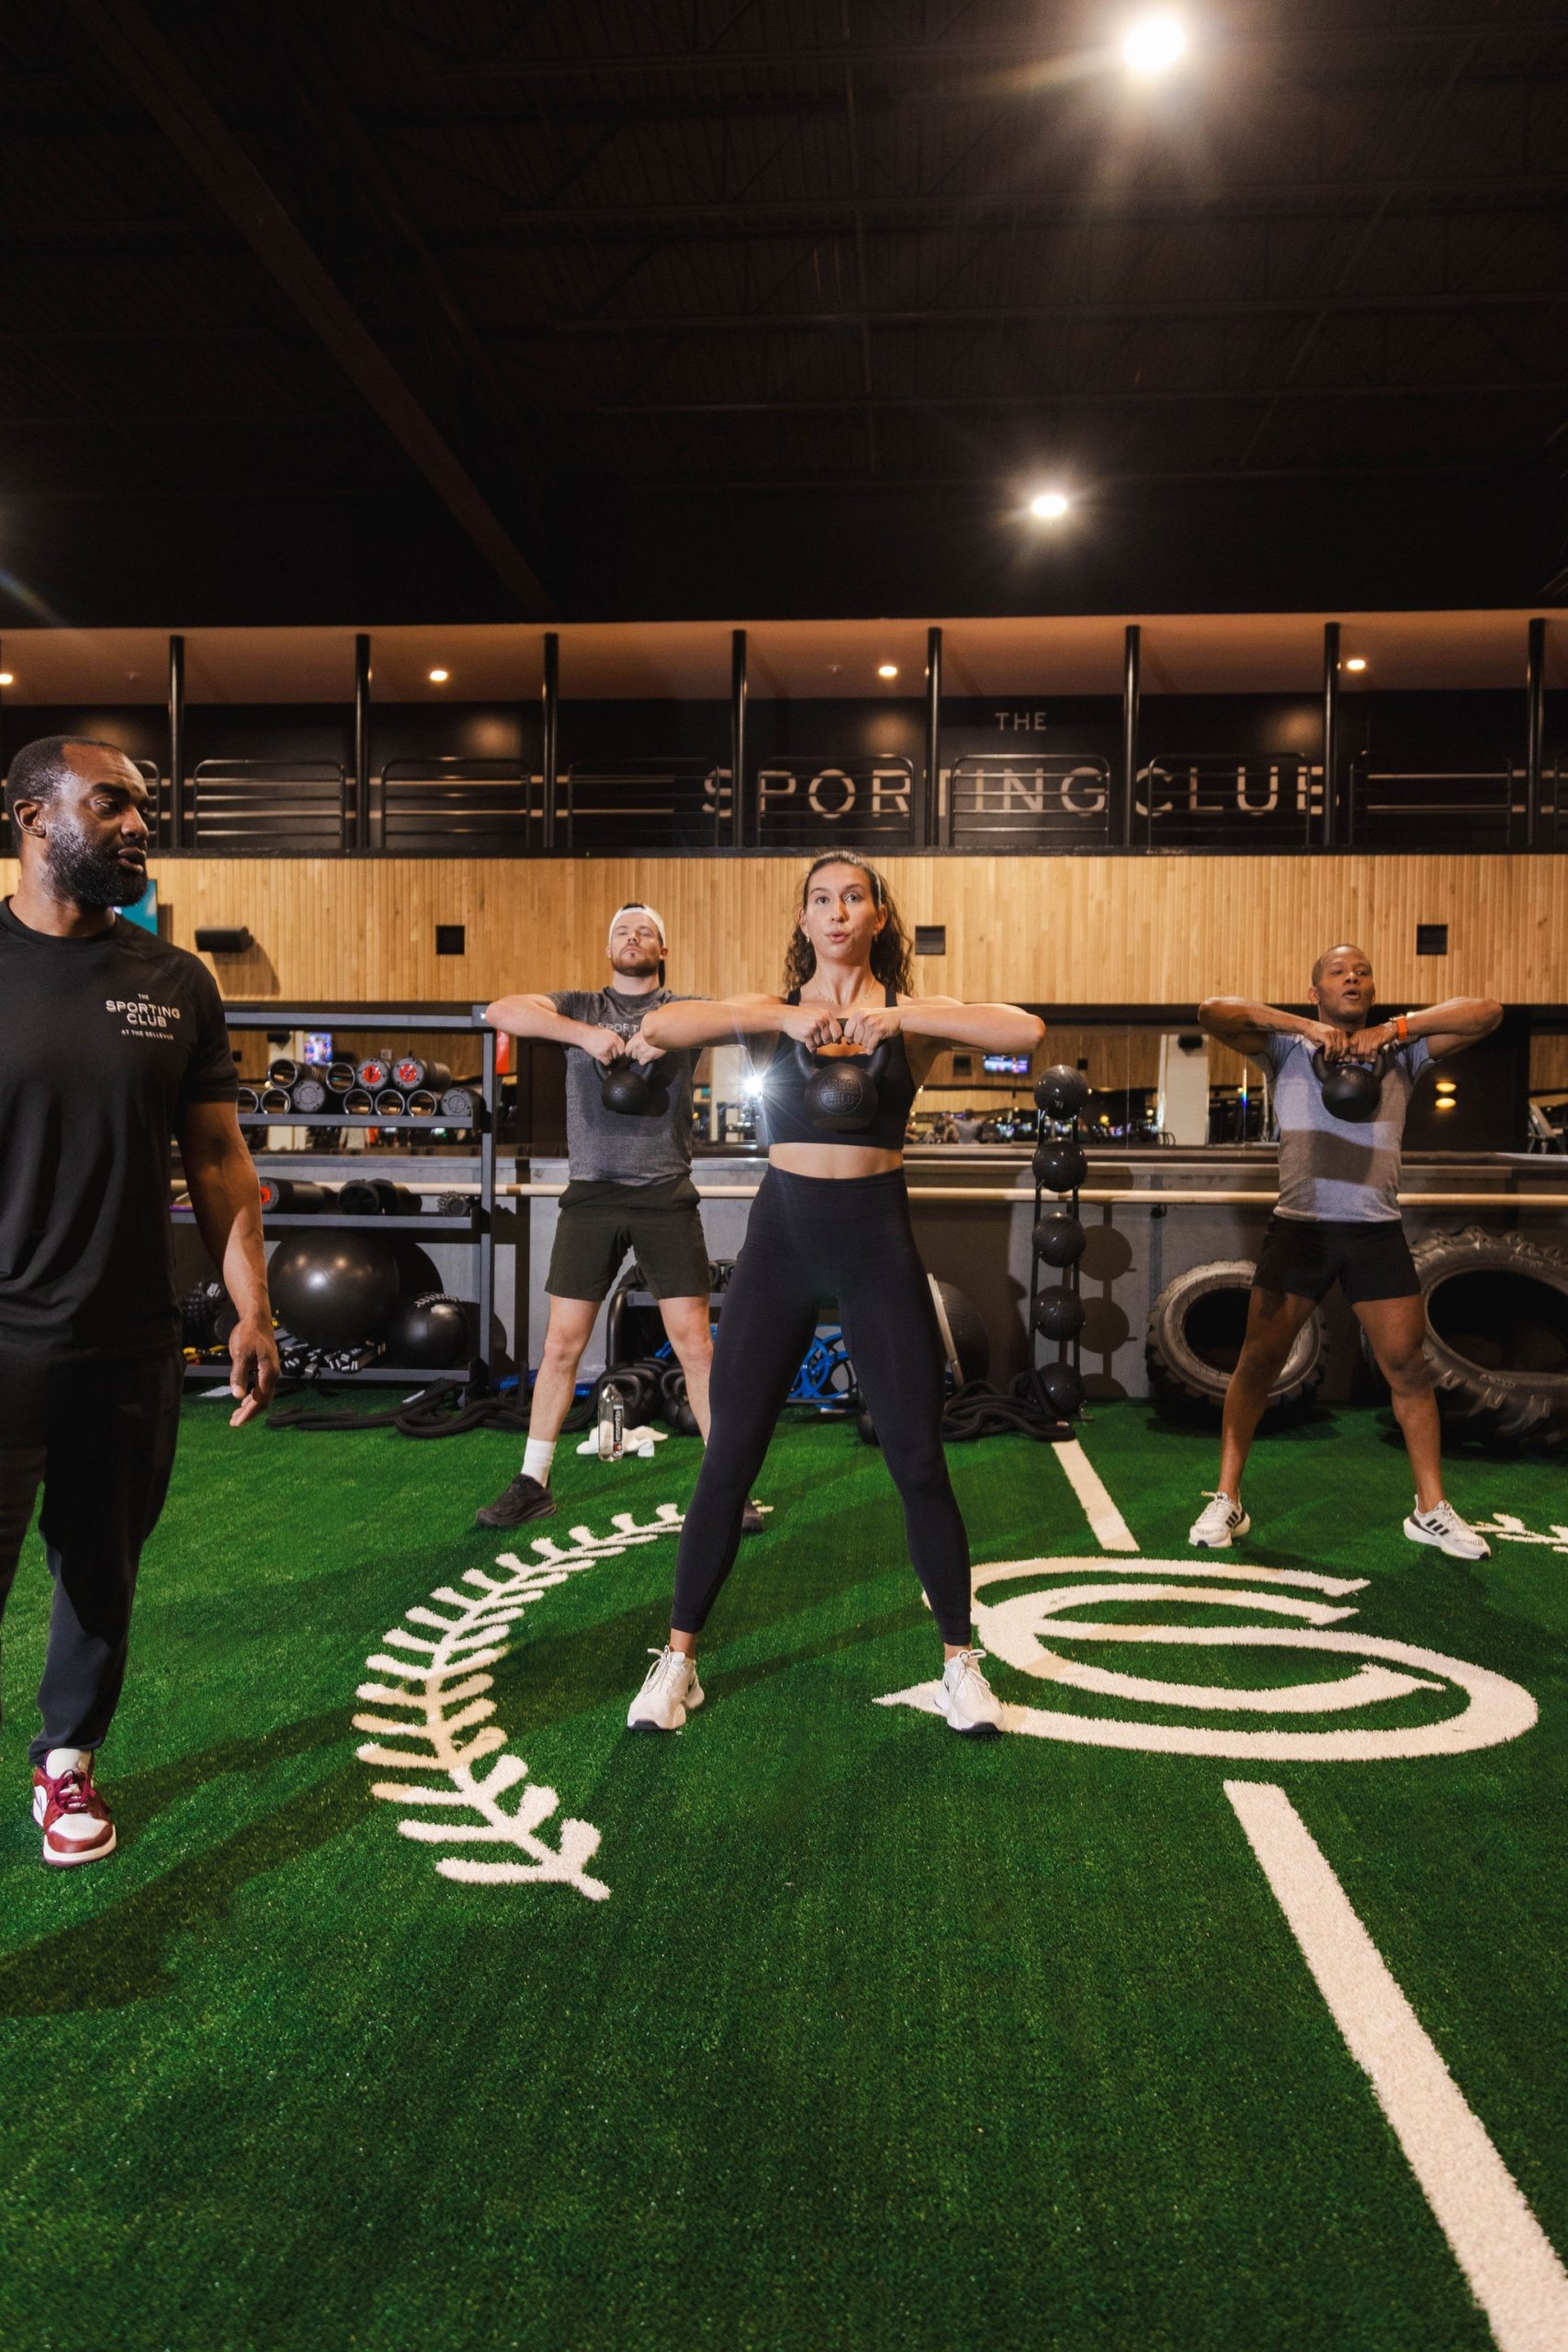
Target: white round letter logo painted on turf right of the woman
[(1017, 1629)]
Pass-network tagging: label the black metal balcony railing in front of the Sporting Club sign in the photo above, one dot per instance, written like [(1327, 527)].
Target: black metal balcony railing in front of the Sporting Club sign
[(1007, 803)]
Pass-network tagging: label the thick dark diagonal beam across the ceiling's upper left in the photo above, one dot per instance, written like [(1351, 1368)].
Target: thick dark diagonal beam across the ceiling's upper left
[(152, 69)]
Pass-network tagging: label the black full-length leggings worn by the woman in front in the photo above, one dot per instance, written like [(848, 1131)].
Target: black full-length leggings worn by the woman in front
[(817, 1238)]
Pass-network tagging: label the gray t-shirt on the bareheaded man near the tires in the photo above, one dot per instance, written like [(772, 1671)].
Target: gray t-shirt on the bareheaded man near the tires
[(1329, 1168)]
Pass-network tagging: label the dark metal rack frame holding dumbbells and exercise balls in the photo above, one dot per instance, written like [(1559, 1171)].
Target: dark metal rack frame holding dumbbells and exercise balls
[(476, 1227)]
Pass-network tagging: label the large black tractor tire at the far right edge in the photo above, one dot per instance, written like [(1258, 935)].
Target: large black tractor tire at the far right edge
[(1499, 1335)]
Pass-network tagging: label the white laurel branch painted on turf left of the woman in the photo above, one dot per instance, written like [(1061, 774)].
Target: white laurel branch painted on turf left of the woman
[(441, 1678)]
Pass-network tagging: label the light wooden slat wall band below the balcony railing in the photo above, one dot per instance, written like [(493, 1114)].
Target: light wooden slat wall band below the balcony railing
[(1040, 930)]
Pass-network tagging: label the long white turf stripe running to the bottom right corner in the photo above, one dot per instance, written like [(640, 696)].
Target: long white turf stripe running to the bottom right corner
[(1501, 2247)]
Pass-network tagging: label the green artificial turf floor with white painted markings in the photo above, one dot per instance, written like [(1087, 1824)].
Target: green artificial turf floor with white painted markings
[(880, 2038)]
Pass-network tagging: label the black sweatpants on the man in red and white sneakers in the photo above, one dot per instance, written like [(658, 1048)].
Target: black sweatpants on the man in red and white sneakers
[(100, 1441)]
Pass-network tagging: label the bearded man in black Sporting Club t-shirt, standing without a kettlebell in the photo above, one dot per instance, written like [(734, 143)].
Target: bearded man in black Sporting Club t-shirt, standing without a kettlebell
[(112, 1043)]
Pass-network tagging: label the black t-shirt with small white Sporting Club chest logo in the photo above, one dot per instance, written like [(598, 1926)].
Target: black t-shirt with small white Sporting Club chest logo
[(105, 1043)]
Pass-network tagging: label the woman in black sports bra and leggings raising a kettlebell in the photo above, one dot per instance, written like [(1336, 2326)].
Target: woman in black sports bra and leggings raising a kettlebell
[(833, 1222)]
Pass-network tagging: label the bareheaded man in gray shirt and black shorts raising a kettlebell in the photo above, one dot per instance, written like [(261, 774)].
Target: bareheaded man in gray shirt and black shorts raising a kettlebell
[(1339, 1222)]
